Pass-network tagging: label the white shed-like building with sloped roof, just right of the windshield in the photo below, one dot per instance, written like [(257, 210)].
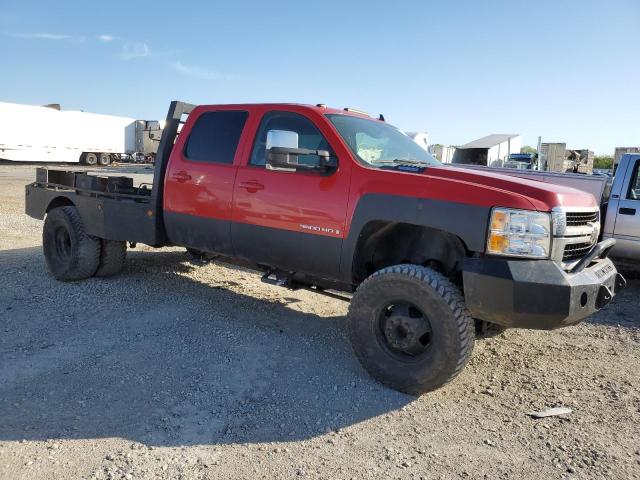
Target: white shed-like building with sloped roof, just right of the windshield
[(492, 150)]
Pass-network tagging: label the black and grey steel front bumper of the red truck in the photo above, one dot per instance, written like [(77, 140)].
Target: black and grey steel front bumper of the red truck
[(538, 293)]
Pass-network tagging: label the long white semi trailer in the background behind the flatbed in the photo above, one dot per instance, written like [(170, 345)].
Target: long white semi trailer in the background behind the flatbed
[(31, 133)]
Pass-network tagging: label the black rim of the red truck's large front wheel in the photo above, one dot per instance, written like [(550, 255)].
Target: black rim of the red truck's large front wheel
[(404, 330)]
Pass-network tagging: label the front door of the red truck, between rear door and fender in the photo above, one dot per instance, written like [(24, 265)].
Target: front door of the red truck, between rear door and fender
[(291, 219)]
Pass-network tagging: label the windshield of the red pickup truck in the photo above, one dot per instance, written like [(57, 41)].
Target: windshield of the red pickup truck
[(379, 144)]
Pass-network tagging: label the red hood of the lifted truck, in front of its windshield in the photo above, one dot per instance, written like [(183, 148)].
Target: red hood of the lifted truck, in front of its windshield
[(543, 196)]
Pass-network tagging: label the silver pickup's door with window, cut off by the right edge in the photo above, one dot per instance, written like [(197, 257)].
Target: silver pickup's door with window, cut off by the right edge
[(626, 212)]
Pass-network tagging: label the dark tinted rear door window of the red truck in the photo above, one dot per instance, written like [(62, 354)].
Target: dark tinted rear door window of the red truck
[(214, 137)]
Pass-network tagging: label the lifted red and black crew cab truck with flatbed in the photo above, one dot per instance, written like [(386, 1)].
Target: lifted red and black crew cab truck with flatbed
[(334, 200)]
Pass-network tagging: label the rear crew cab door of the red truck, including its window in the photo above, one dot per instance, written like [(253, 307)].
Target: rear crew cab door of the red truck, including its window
[(198, 188)]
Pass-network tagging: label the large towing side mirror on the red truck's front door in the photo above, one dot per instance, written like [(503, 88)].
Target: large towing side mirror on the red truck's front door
[(283, 154)]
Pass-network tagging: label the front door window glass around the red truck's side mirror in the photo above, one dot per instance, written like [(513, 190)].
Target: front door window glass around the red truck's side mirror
[(308, 136)]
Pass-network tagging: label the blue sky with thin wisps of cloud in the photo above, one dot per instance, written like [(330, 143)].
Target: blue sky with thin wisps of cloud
[(566, 70)]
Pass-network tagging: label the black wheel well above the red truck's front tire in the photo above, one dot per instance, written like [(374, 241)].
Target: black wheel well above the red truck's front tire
[(382, 244)]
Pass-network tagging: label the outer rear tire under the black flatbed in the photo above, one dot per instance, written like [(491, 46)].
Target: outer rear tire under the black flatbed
[(70, 253)]
